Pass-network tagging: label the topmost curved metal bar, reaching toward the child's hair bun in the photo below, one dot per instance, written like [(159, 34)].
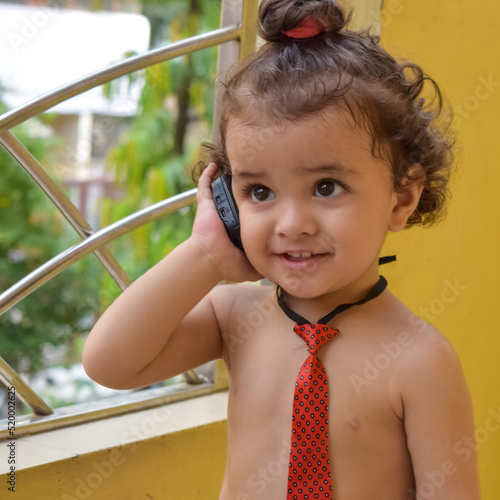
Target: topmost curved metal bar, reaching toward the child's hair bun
[(50, 99)]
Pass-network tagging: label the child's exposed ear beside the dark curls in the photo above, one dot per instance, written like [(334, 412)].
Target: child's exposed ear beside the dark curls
[(407, 198)]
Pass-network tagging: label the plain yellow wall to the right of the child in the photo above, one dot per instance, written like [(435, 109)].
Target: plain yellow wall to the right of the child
[(450, 274)]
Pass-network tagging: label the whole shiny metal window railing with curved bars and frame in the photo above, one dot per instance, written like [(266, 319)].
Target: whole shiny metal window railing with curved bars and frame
[(236, 39)]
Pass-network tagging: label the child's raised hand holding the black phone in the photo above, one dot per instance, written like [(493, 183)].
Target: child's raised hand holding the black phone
[(210, 234)]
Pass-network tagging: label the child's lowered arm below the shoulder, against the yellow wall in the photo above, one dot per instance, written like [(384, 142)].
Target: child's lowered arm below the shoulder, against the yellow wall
[(439, 423)]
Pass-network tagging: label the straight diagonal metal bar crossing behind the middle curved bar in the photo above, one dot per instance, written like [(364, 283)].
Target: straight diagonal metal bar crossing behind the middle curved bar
[(17, 150)]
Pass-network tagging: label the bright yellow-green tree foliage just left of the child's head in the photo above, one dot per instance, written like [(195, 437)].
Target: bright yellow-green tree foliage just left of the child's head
[(153, 161)]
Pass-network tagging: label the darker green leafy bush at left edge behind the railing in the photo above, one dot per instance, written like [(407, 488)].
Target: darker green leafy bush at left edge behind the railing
[(32, 231)]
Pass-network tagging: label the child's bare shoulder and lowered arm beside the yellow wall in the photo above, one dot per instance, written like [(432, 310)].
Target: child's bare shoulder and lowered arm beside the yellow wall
[(436, 407)]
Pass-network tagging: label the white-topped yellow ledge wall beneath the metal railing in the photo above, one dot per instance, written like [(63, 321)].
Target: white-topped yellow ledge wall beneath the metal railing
[(176, 451)]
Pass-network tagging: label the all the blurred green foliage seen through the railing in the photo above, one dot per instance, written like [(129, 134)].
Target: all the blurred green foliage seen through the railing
[(151, 163)]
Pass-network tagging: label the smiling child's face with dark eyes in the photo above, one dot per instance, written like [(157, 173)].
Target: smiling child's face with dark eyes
[(315, 205)]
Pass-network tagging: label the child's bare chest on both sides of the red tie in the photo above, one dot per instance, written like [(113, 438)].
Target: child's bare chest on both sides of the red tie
[(364, 433)]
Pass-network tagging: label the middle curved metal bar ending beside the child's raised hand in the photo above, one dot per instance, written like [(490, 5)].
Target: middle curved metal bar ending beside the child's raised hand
[(62, 261)]
